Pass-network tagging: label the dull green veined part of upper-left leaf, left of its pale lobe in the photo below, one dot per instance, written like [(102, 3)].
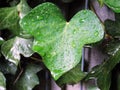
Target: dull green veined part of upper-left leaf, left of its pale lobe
[(9, 19)]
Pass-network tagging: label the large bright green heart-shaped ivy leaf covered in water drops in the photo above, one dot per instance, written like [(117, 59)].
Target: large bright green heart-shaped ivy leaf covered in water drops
[(59, 42)]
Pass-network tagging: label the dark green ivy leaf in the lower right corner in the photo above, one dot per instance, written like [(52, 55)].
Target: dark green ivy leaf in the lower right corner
[(103, 71)]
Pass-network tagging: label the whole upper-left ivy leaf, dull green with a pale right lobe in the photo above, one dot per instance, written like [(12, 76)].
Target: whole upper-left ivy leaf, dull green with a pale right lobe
[(9, 17)]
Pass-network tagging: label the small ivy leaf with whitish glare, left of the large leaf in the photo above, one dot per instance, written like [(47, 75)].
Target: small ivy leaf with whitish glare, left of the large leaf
[(12, 49)]
